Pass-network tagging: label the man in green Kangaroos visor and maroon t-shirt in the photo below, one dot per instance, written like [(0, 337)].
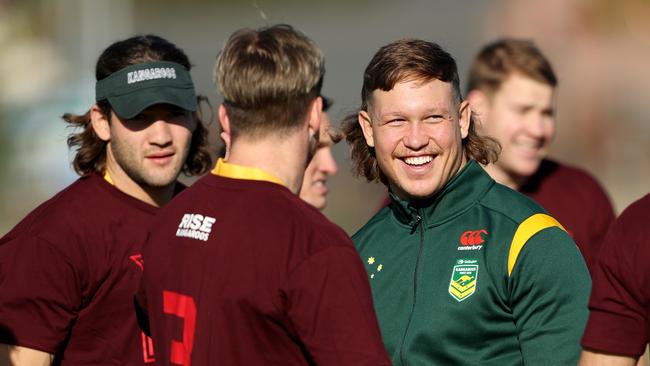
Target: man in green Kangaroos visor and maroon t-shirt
[(68, 271)]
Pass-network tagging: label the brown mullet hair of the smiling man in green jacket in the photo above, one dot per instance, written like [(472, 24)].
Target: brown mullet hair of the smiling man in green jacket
[(408, 59)]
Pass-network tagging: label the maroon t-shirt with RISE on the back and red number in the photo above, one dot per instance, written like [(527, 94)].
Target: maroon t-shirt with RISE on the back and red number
[(243, 272)]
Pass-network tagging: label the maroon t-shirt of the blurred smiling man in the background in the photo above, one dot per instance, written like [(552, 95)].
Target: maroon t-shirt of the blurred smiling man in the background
[(576, 200)]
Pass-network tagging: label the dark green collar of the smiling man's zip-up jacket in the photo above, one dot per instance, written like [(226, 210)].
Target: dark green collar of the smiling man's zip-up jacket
[(459, 194)]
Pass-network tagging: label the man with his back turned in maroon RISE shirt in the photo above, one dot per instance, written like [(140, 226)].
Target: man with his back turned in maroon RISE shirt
[(240, 270)]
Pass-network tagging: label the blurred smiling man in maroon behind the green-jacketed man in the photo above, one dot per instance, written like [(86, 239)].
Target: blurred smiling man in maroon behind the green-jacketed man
[(512, 91)]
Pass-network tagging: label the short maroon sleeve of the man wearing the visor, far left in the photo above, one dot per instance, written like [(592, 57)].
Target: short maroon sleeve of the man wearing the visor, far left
[(40, 294)]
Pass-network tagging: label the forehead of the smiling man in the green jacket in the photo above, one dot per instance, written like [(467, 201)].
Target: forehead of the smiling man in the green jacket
[(413, 95)]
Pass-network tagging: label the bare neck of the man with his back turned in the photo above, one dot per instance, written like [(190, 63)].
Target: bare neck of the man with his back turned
[(282, 156)]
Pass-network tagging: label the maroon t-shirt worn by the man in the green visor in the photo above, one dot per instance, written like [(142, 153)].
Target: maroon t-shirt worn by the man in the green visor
[(68, 272)]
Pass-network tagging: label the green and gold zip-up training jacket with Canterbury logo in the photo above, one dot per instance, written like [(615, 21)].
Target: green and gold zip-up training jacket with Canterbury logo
[(477, 275)]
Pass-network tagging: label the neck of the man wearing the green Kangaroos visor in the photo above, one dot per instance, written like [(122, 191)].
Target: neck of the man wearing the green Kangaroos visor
[(155, 196)]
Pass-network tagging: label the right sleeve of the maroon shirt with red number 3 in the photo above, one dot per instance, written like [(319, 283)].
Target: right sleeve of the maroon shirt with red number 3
[(330, 308)]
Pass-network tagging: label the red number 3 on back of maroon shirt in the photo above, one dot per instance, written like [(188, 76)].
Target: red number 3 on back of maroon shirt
[(182, 306)]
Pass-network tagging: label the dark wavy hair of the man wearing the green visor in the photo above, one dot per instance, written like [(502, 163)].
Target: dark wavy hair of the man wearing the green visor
[(90, 150)]
